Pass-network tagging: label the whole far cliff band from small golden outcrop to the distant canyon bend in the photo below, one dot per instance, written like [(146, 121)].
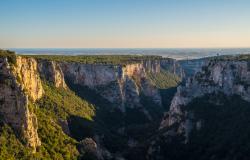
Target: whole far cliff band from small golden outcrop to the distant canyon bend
[(120, 84)]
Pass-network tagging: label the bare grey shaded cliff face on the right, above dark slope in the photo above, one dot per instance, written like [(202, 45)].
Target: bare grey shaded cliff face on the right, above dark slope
[(227, 77)]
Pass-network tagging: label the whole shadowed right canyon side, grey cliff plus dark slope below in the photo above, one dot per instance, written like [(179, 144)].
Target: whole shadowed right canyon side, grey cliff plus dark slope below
[(208, 102)]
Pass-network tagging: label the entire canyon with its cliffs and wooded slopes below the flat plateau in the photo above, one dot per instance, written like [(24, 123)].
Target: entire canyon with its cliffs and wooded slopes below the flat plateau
[(142, 109)]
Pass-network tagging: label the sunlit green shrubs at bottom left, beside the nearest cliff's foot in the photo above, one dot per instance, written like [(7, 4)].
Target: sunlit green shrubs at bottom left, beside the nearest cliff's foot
[(55, 143)]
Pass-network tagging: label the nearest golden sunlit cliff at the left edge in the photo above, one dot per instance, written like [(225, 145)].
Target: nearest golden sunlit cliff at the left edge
[(14, 101)]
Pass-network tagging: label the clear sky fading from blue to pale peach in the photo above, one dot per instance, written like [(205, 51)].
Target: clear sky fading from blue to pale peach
[(124, 23)]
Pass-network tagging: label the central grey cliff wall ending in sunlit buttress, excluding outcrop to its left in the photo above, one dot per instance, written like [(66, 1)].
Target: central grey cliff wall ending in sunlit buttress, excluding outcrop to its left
[(118, 84)]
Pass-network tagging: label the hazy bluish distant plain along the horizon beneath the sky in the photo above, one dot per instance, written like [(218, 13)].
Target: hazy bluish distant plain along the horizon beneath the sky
[(176, 53)]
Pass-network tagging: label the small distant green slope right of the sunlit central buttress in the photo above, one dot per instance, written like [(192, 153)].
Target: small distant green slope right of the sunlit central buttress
[(164, 79)]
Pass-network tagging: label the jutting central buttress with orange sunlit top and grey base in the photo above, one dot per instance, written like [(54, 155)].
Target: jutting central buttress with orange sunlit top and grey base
[(134, 82)]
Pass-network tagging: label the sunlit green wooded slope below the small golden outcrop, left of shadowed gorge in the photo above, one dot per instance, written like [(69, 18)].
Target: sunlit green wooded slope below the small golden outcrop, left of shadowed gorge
[(63, 103)]
